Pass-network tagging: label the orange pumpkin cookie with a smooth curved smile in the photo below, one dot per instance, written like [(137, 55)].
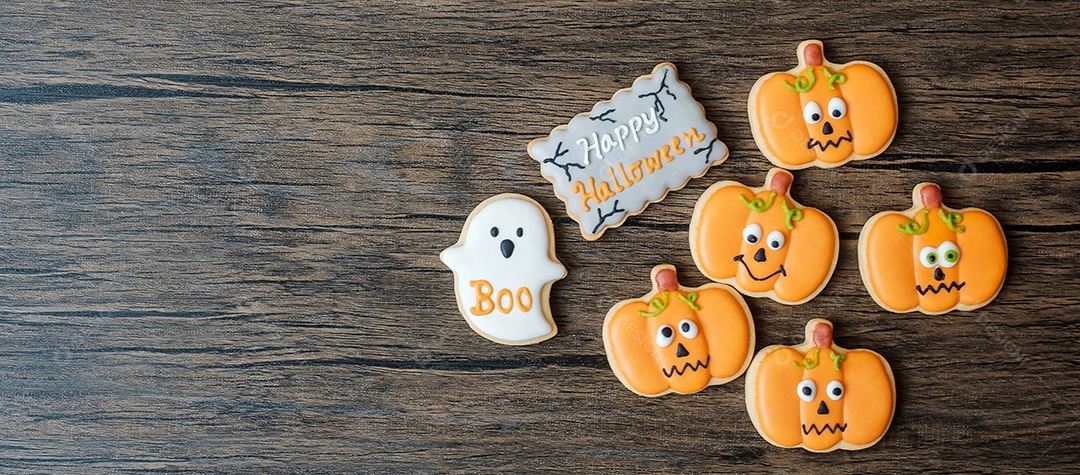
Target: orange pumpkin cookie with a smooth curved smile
[(762, 241)]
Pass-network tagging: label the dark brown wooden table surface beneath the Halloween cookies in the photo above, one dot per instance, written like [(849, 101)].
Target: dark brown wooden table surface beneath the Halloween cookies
[(222, 225)]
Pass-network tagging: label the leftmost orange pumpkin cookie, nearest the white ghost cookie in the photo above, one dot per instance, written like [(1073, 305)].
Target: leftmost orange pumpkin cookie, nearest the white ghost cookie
[(679, 340)]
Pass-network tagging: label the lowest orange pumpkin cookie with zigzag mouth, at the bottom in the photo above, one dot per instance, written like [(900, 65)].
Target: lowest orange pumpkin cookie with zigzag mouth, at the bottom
[(820, 397)]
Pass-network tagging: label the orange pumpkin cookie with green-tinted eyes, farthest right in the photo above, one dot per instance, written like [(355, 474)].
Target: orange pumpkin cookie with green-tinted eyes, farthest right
[(933, 259)]
